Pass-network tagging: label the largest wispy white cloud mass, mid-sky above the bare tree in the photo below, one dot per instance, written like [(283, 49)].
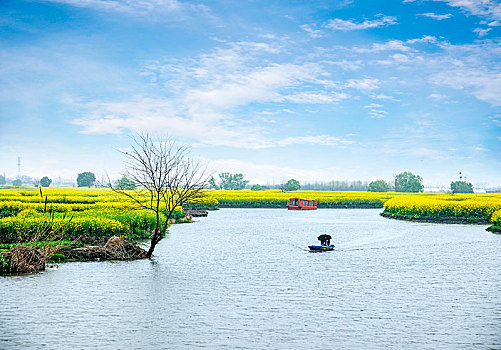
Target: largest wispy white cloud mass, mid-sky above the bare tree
[(206, 94)]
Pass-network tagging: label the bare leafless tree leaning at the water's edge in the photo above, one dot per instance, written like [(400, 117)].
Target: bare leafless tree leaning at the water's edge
[(166, 176)]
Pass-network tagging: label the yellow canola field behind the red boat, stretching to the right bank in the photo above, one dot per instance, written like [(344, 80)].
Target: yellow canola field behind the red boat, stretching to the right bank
[(472, 208)]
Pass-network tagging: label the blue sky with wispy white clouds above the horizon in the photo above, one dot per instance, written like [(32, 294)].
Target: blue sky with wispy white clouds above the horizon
[(320, 90)]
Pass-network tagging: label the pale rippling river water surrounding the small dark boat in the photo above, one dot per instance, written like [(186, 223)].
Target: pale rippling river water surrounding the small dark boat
[(244, 279)]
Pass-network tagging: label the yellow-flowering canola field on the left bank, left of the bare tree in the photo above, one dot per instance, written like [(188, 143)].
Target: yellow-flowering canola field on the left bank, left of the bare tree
[(24, 212)]
